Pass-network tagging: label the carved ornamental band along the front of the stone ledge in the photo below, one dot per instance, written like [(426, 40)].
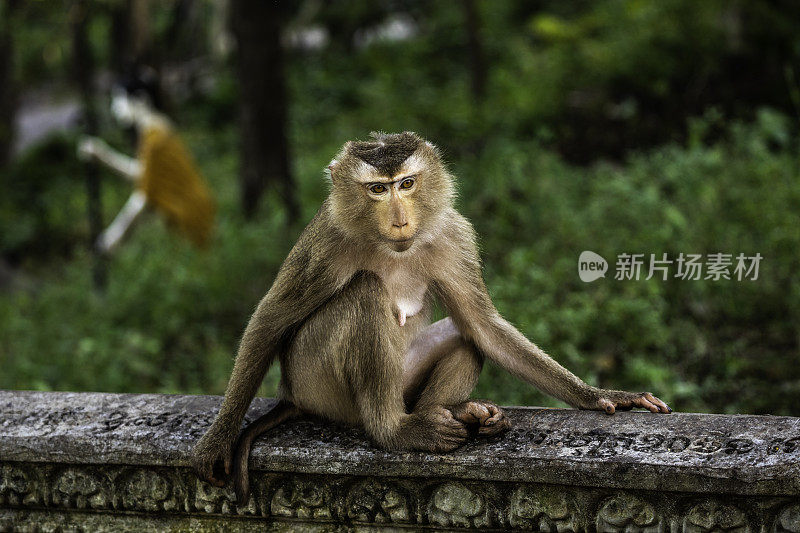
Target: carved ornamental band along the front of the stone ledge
[(176, 492)]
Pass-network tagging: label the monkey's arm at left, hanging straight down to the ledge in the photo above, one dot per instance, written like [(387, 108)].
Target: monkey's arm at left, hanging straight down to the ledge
[(301, 286)]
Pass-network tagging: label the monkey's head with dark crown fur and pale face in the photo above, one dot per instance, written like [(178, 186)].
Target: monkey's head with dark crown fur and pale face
[(388, 189)]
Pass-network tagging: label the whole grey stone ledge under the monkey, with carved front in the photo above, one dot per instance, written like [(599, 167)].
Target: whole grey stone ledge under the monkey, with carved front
[(115, 462)]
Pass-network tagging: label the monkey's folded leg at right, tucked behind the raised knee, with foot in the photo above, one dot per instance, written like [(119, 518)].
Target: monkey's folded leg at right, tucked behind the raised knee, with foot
[(441, 368)]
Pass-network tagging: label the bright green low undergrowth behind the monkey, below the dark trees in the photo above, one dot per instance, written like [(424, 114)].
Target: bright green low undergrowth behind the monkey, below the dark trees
[(172, 315)]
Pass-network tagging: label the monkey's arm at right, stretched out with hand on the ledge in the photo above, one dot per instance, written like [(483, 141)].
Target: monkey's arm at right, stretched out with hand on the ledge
[(464, 293)]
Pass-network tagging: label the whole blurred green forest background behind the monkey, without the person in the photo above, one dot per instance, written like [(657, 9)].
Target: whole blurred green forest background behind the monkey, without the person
[(618, 126)]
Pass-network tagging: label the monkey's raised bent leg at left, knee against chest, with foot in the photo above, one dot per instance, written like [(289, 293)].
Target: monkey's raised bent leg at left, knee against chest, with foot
[(346, 363)]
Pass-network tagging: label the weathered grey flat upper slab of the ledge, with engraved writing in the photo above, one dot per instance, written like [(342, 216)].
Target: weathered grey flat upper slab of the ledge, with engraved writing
[(695, 452)]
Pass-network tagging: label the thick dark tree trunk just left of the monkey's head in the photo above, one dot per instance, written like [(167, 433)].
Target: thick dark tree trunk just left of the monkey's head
[(263, 104)]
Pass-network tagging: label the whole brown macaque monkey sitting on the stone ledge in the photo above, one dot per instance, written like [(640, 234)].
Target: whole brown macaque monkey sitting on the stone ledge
[(348, 316)]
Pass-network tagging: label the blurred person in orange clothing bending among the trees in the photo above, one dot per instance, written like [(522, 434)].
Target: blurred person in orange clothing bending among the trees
[(163, 173)]
